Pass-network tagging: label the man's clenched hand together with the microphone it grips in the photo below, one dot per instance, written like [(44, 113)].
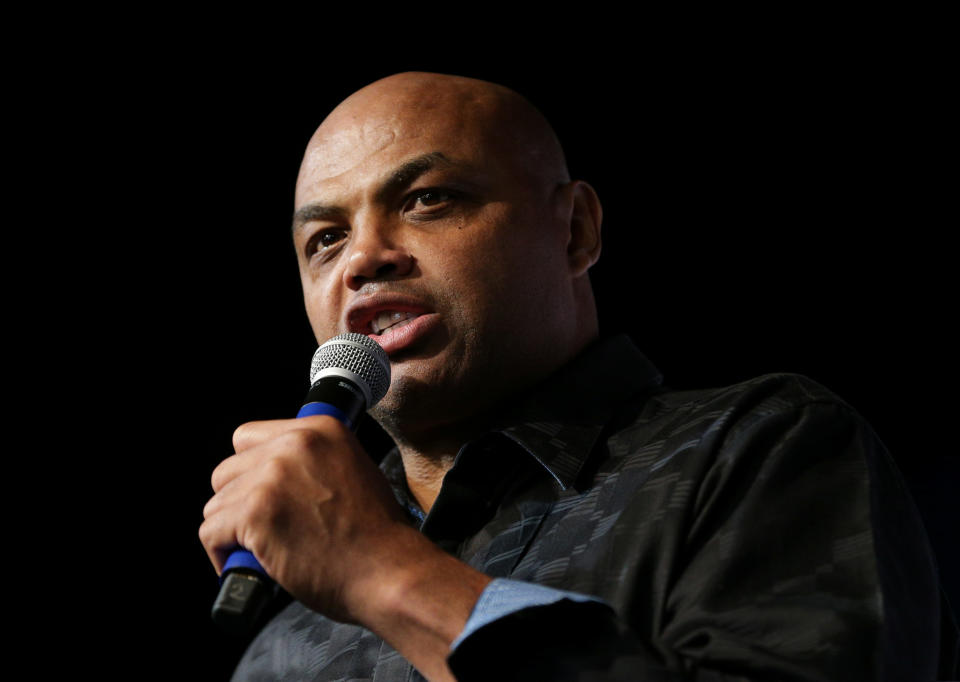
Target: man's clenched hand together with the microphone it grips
[(297, 488)]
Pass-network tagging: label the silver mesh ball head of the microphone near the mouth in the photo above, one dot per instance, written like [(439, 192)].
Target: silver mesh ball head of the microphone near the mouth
[(359, 355)]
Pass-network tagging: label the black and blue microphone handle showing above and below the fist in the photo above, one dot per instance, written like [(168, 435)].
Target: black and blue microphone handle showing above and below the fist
[(245, 588)]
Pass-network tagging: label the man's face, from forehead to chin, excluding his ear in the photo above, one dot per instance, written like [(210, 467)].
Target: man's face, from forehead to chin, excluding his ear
[(421, 226)]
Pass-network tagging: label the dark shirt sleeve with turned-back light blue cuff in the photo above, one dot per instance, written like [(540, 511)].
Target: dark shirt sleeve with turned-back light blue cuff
[(803, 558)]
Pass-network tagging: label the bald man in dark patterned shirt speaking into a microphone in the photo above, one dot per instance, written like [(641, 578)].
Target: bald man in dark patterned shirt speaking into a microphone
[(756, 531)]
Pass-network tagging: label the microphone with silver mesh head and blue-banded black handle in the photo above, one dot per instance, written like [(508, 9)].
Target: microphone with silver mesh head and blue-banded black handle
[(349, 374)]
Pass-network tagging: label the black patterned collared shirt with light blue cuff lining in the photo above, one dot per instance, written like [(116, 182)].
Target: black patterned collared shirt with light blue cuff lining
[(753, 532)]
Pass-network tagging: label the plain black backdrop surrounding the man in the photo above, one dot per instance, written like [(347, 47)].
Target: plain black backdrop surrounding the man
[(774, 201)]
